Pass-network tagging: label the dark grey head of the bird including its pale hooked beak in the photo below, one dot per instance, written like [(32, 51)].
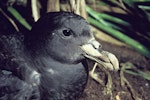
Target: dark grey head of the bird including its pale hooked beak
[(65, 37)]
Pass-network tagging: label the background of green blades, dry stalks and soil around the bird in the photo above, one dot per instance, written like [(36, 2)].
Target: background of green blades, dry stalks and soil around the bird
[(122, 26)]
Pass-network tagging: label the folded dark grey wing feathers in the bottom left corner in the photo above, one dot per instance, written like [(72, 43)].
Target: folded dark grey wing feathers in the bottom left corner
[(11, 87)]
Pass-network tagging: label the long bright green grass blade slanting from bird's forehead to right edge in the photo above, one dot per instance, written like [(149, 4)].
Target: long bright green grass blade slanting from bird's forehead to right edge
[(136, 45)]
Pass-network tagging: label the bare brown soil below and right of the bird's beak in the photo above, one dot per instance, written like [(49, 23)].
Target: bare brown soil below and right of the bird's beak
[(140, 86)]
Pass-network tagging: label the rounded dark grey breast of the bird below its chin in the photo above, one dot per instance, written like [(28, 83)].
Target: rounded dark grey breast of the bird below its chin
[(63, 81)]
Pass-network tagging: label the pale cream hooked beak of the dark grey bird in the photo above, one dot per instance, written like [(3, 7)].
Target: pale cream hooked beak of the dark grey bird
[(92, 50)]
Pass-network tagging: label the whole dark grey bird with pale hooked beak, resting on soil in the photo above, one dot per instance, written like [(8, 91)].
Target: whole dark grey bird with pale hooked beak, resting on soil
[(50, 61)]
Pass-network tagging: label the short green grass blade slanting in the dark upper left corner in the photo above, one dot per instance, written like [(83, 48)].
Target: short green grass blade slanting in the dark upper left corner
[(21, 20)]
